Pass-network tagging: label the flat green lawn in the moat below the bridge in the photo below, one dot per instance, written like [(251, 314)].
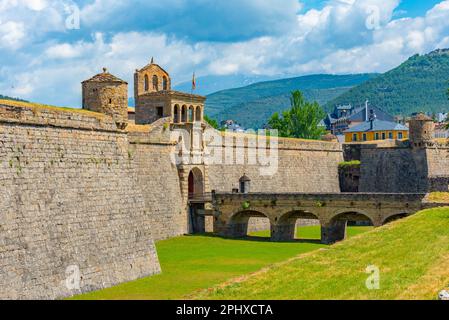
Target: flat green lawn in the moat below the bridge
[(192, 263)]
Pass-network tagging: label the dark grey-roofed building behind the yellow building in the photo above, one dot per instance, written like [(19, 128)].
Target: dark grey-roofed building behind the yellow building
[(348, 116)]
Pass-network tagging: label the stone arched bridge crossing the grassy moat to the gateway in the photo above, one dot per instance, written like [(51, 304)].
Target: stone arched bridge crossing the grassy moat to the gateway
[(232, 211)]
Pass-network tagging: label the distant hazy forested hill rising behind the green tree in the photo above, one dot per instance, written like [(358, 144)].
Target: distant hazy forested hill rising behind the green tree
[(253, 105)]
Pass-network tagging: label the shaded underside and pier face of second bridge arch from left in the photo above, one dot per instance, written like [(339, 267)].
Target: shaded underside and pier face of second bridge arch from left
[(285, 227)]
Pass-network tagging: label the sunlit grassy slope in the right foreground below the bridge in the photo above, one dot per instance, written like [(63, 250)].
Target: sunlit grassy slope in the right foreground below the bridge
[(412, 255)]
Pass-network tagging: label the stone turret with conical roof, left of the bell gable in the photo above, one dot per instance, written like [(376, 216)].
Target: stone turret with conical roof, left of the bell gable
[(107, 94)]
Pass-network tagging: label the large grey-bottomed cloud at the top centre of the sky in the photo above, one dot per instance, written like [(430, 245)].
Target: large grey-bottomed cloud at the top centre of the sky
[(195, 20)]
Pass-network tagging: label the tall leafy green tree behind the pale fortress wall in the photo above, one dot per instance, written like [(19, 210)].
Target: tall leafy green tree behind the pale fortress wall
[(301, 121)]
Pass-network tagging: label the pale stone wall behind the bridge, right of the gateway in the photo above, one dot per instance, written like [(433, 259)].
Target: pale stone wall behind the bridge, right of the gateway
[(302, 166)]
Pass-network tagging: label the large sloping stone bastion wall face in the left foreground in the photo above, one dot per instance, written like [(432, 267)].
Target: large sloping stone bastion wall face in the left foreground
[(69, 203)]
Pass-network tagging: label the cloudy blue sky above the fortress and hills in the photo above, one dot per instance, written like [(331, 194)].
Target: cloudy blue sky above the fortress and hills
[(44, 55)]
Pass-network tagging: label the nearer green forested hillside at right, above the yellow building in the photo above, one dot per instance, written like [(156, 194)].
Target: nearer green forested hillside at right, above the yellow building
[(419, 84)]
